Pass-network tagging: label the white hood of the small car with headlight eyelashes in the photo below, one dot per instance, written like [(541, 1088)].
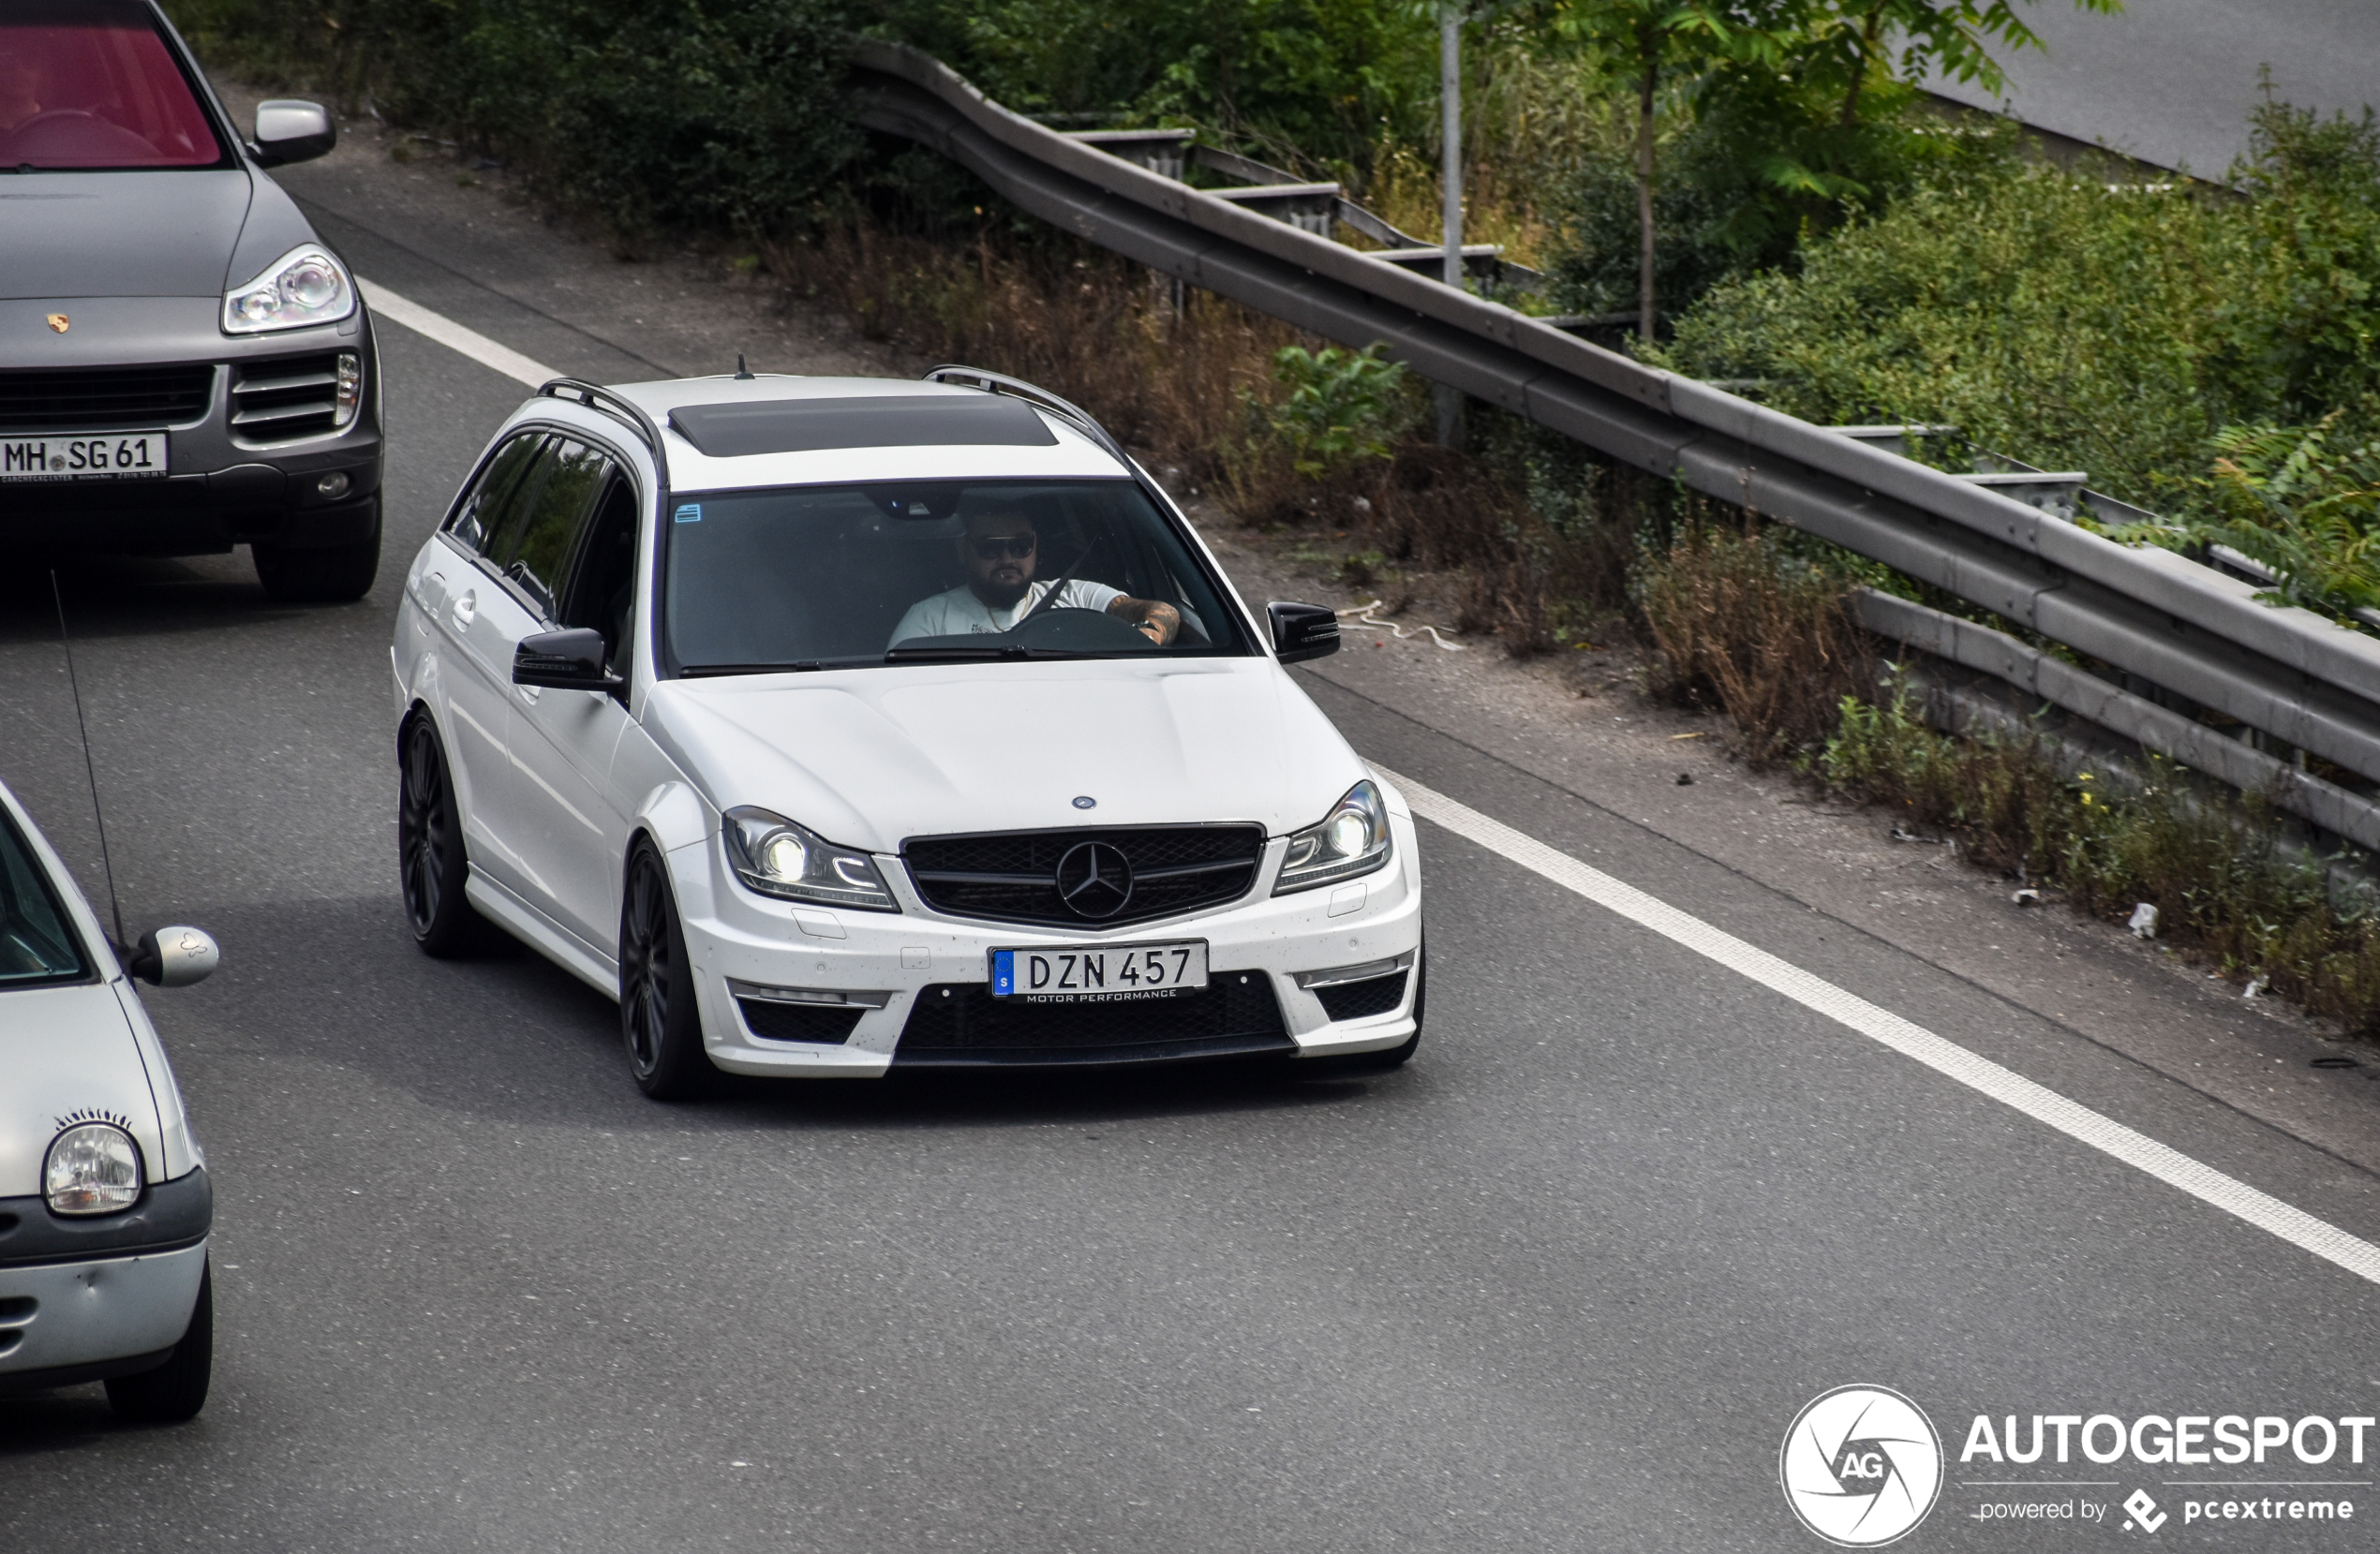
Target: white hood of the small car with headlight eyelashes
[(68, 1055)]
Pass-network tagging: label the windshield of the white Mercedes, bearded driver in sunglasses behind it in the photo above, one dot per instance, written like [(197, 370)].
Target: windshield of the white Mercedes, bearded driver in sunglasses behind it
[(815, 577)]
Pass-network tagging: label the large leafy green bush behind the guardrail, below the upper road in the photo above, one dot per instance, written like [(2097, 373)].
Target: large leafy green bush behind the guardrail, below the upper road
[(2079, 318)]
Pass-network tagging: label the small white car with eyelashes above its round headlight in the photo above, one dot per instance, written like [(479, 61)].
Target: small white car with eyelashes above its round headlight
[(104, 1193)]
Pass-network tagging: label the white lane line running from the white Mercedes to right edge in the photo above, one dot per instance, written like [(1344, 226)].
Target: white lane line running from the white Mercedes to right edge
[(1953, 1060)]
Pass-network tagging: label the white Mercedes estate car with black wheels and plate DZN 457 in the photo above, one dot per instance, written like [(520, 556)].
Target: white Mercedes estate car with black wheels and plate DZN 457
[(853, 725)]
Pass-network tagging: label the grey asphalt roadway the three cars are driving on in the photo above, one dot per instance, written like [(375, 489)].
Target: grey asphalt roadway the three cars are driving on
[(1562, 1284)]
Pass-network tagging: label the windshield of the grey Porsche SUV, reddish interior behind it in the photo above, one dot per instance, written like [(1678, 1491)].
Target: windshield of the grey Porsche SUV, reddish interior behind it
[(92, 84)]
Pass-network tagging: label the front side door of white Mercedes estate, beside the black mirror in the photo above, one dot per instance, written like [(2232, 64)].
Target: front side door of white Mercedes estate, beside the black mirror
[(563, 741)]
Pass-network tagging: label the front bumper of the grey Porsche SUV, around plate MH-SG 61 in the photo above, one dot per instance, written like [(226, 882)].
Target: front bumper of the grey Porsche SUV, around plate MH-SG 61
[(232, 482)]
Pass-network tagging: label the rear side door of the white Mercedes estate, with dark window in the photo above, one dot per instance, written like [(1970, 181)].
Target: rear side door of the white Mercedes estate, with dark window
[(463, 599)]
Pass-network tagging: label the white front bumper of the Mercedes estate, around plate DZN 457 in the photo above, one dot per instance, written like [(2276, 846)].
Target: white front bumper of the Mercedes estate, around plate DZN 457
[(884, 965)]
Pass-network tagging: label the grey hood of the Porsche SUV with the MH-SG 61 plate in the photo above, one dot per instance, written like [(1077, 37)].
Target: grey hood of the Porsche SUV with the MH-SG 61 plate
[(137, 234)]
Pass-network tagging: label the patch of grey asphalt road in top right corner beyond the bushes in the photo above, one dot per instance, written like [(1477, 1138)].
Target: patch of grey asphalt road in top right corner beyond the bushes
[(2174, 82)]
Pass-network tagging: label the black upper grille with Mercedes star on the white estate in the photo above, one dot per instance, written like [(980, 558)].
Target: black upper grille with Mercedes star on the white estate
[(1013, 875)]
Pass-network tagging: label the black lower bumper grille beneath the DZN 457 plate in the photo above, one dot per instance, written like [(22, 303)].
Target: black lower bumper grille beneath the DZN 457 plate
[(965, 1024)]
